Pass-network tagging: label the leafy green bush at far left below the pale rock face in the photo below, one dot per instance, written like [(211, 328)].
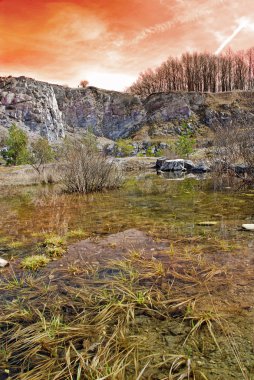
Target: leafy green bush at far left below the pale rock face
[(17, 147)]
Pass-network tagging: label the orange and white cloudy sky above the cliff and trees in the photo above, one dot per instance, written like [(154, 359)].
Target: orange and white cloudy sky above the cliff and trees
[(108, 42)]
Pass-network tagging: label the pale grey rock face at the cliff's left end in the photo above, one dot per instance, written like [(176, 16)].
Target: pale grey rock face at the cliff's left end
[(31, 105)]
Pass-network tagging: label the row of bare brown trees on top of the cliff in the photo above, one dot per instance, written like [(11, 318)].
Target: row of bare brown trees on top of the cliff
[(204, 72)]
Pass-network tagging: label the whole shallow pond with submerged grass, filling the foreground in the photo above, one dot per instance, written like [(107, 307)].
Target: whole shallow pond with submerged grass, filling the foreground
[(177, 303)]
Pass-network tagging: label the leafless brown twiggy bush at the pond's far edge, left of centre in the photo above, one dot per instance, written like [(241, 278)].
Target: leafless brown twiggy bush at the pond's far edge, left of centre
[(86, 170)]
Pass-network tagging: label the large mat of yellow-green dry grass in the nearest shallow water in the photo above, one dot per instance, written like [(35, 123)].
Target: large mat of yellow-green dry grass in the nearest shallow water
[(109, 322)]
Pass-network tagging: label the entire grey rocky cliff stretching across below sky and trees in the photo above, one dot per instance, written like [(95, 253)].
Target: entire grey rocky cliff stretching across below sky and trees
[(53, 110)]
